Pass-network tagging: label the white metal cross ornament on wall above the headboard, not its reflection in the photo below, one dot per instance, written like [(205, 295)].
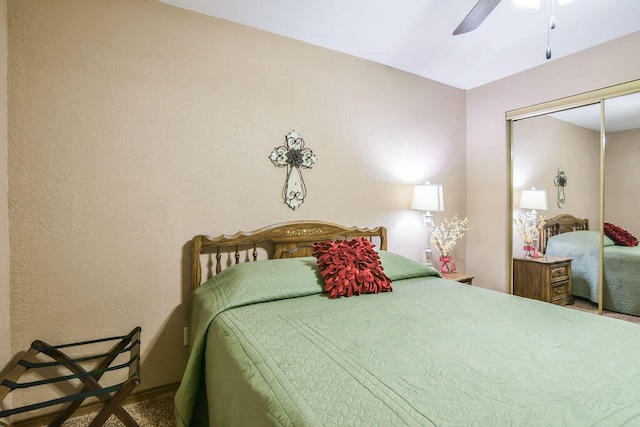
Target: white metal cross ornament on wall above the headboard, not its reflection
[(293, 156)]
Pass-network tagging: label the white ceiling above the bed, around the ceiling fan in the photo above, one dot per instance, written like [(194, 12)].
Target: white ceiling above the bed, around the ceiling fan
[(416, 35)]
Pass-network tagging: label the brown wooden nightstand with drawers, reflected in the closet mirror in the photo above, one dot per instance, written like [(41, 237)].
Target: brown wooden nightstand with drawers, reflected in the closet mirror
[(546, 279)]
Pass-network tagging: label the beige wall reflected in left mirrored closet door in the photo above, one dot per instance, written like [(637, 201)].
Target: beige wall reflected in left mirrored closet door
[(543, 144)]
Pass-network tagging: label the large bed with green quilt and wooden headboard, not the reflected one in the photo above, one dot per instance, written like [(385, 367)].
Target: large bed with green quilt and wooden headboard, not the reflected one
[(269, 347)]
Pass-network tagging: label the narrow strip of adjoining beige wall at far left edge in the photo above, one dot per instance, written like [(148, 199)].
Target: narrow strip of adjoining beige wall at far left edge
[(5, 319)]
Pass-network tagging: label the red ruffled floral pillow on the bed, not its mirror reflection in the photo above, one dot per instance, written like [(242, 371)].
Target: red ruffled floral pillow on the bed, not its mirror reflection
[(350, 267)]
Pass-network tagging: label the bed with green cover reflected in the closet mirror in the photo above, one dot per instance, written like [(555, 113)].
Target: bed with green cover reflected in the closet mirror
[(569, 236)]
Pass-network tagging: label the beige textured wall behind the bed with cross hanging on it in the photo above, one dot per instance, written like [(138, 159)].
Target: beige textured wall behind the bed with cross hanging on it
[(135, 125)]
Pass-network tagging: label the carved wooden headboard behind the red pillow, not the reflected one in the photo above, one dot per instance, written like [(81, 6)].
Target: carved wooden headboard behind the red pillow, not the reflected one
[(284, 240)]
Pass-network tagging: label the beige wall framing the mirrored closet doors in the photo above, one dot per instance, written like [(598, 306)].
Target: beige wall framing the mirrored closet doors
[(604, 65)]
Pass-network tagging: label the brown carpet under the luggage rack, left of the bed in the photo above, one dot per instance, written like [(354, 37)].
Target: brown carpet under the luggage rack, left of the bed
[(156, 412)]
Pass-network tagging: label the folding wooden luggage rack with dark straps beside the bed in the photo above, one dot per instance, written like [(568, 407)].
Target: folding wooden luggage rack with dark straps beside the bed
[(110, 396)]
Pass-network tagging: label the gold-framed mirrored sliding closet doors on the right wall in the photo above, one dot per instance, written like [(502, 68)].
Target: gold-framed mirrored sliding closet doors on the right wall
[(565, 150)]
